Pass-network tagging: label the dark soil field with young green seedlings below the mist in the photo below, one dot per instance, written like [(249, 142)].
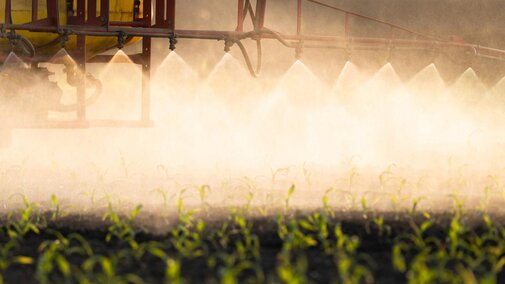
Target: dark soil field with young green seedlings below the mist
[(238, 245)]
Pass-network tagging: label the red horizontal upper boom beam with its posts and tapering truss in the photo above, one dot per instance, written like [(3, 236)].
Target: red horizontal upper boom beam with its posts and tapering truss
[(99, 25)]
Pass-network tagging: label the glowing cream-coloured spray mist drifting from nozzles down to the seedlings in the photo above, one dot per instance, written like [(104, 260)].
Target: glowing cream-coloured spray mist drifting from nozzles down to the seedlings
[(362, 131)]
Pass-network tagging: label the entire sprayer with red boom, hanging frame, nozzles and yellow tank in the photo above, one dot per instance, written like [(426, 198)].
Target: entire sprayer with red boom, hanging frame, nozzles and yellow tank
[(78, 21)]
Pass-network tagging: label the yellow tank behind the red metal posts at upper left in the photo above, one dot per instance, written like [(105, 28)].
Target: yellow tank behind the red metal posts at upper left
[(120, 10)]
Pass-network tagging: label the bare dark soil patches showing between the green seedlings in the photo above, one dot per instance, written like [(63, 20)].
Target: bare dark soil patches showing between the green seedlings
[(321, 268)]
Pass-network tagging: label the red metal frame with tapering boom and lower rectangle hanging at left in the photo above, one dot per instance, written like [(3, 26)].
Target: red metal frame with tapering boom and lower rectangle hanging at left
[(86, 22)]
